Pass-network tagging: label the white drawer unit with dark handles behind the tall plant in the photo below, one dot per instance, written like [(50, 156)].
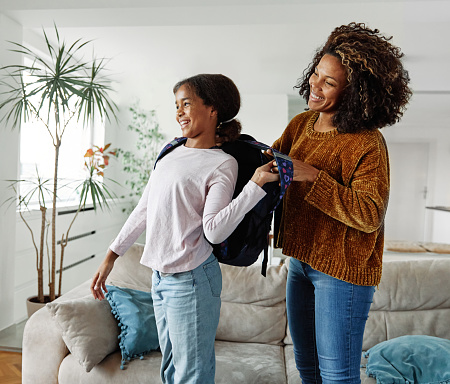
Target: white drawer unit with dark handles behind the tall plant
[(90, 236)]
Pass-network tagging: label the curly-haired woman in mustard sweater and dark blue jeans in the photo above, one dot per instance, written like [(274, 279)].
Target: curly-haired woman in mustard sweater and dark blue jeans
[(333, 213)]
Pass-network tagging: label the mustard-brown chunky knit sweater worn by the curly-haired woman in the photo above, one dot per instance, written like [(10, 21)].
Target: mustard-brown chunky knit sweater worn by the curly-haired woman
[(336, 224)]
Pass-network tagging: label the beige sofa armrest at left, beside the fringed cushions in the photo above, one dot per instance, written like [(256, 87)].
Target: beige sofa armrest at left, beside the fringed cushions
[(43, 349)]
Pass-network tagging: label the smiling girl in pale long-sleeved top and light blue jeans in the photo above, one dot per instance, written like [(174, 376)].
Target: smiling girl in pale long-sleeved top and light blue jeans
[(188, 200)]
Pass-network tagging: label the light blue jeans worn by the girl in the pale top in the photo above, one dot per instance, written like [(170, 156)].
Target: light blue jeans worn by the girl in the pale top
[(187, 309)]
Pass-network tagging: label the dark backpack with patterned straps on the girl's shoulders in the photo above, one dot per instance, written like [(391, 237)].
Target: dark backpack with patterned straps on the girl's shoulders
[(251, 237)]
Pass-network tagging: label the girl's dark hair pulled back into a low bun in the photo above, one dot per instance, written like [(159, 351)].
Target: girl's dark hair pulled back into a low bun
[(221, 93)]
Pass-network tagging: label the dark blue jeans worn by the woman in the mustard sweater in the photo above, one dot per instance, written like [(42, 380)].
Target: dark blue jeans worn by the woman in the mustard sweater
[(326, 318)]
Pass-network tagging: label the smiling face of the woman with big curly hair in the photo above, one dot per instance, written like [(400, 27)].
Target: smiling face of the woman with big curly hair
[(326, 84)]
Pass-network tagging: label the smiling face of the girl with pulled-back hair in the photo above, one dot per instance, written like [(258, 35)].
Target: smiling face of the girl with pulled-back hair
[(197, 120)]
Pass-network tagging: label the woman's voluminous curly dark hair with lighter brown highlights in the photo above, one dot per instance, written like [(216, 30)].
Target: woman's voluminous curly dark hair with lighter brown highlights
[(377, 90)]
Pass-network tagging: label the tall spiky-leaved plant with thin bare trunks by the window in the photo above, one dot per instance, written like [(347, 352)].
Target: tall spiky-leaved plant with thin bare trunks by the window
[(55, 89)]
